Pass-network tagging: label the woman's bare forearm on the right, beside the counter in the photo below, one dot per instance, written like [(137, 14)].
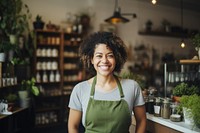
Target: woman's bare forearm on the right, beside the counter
[(140, 116)]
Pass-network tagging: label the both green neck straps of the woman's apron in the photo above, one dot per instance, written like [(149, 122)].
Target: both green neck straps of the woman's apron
[(118, 84)]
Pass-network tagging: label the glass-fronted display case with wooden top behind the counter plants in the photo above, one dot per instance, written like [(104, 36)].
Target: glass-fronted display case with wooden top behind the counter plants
[(182, 71)]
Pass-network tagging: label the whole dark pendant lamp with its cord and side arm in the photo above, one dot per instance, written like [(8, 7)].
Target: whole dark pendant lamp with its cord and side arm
[(117, 16)]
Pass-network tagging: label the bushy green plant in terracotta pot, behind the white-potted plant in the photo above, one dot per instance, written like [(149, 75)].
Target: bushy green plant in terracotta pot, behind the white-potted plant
[(183, 89)]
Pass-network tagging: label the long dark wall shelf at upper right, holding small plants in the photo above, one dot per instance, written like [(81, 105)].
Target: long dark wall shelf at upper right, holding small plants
[(163, 34)]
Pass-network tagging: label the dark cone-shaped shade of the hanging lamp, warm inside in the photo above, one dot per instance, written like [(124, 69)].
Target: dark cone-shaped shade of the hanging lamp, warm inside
[(116, 18)]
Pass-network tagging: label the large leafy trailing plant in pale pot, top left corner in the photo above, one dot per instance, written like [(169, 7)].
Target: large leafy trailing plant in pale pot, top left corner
[(14, 19)]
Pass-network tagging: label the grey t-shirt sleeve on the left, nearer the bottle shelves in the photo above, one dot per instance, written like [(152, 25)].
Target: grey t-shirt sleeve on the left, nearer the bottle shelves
[(75, 99)]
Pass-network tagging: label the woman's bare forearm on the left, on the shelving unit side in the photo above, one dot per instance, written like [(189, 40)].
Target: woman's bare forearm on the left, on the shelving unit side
[(74, 121)]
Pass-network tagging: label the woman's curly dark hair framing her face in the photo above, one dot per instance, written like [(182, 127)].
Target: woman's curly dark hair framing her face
[(114, 42)]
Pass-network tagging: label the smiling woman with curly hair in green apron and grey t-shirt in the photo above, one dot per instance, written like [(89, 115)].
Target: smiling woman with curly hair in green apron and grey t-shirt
[(105, 94)]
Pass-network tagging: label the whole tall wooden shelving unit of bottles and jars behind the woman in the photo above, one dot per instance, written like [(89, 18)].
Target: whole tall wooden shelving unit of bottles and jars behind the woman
[(51, 105)]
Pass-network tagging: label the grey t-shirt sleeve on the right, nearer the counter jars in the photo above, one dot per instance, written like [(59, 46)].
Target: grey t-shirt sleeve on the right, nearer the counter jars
[(139, 99)]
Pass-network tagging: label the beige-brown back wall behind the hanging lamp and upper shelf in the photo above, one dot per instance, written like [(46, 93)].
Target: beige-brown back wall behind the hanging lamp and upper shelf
[(56, 12)]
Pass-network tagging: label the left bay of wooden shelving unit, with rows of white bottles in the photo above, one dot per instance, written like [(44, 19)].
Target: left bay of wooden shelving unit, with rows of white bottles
[(47, 69)]
